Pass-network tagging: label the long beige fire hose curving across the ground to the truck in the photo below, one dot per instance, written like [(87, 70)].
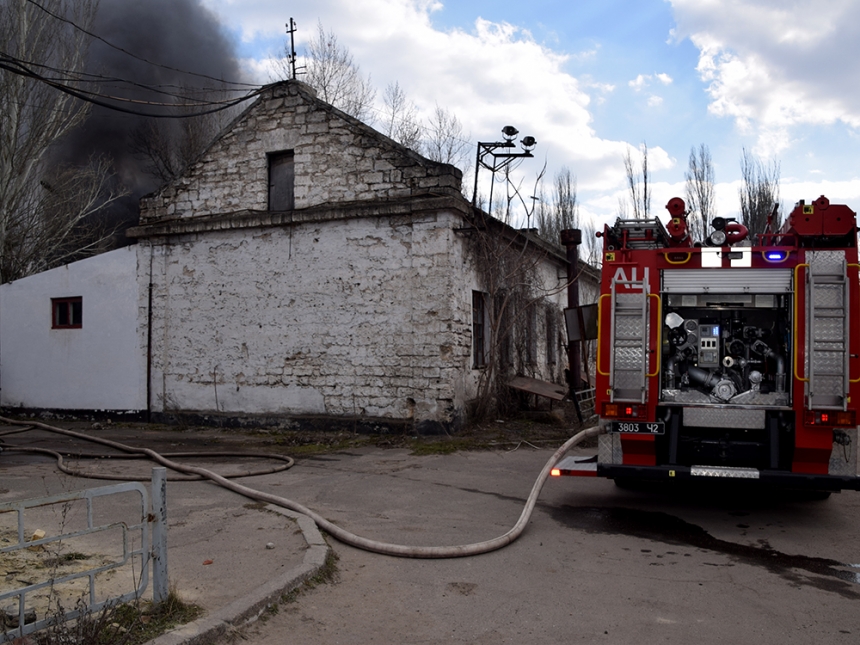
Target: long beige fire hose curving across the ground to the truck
[(335, 531)]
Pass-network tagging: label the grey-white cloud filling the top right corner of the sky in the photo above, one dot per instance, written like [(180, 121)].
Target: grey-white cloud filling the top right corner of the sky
[(772, 65)]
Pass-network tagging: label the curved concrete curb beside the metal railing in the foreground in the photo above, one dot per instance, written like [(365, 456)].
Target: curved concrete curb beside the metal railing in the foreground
[(247, 609)]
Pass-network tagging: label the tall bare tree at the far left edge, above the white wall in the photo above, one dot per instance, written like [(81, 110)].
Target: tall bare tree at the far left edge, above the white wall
[(46, 212)]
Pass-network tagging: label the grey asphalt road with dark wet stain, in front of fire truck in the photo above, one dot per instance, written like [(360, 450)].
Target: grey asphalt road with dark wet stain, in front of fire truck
[(597, 564)]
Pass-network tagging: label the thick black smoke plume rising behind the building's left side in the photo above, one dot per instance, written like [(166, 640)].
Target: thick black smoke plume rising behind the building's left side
[(180, 34)]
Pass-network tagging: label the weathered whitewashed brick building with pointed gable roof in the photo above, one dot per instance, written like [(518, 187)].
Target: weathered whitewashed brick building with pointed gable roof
[(308, 268)]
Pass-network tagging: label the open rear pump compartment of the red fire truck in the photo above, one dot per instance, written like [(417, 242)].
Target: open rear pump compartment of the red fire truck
[(725, 359)]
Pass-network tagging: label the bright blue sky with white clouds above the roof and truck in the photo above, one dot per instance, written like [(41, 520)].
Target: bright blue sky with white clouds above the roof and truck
[(588, 79)]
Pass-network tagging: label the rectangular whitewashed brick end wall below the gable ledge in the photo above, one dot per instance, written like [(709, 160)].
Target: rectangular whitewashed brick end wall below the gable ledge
[(353, 317)]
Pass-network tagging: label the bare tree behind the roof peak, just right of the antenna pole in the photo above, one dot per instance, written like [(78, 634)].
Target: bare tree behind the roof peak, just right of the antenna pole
[(331, 71)]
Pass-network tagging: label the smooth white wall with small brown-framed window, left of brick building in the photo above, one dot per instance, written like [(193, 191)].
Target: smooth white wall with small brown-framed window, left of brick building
[(102, 365)]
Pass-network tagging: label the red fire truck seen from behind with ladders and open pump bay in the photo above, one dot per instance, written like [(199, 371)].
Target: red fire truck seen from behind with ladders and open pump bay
[(731, 357)]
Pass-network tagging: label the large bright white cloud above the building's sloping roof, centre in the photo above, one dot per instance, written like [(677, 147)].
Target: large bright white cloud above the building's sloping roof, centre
[(491, 75)]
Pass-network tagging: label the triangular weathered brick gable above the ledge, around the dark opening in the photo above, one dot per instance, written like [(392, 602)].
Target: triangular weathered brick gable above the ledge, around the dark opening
[(337, 159)]
